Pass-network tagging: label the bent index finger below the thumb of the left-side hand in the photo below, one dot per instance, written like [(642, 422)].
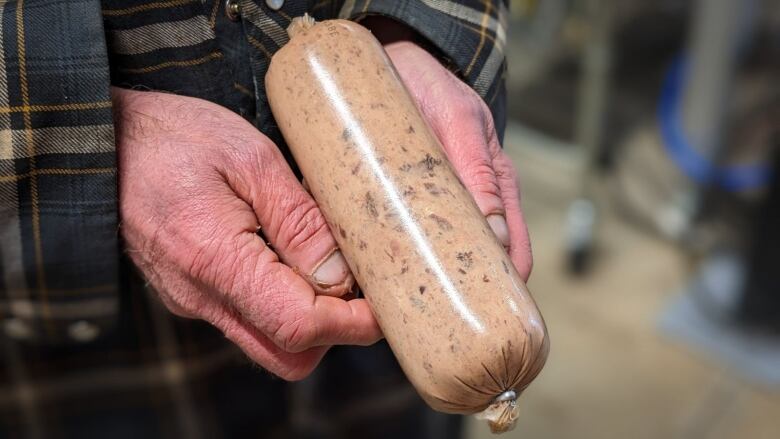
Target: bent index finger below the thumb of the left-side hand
[(273, 298)]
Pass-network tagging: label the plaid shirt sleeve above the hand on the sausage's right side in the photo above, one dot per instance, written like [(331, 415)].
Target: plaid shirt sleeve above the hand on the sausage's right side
[(470, 34)]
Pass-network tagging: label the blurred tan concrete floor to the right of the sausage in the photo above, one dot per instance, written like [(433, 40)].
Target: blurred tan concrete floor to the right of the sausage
[(610, 373)]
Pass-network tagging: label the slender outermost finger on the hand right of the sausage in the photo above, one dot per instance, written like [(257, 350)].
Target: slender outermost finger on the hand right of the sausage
[(520, 243)]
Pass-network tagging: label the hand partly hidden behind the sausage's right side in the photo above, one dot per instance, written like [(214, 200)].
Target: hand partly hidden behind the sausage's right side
[(464, 125)]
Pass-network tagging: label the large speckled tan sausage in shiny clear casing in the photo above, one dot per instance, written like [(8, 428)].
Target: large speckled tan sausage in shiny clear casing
[(457, 316)]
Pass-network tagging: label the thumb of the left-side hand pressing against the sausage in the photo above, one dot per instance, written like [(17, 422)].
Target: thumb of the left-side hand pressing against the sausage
[(290, 218)]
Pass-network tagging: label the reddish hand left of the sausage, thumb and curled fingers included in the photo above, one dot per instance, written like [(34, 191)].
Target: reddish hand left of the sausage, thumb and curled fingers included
[(196, 183)]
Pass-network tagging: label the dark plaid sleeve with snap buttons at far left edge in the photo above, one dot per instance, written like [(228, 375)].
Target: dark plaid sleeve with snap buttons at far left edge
[(58, 205)]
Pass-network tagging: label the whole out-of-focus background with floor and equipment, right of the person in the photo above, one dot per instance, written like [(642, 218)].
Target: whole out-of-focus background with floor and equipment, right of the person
[(646, 135)]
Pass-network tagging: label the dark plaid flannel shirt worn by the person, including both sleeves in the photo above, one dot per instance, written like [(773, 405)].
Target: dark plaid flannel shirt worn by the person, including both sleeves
[(85, 351)]
